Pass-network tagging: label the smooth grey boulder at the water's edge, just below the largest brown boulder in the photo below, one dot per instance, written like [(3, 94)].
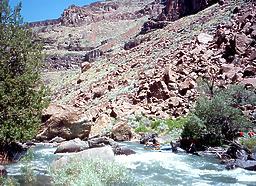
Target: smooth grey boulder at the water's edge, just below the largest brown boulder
[(75, 145)]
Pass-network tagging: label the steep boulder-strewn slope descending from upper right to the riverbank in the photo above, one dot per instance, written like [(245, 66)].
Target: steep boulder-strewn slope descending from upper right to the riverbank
[(156, 76)]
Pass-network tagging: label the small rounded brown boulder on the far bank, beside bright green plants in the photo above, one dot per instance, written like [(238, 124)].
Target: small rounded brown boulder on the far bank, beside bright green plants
[(121, 132)]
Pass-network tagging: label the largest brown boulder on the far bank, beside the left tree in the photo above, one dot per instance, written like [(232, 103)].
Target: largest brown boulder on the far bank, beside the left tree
[(64, 121)]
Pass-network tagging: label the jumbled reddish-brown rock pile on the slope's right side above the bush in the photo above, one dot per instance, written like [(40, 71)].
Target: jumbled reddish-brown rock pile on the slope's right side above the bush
[(226, 57)]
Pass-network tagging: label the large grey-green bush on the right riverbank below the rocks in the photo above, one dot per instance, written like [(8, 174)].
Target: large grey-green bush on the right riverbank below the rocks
[(217, 117)]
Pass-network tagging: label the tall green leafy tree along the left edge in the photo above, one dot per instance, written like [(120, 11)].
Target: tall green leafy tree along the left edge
[(22, 95)]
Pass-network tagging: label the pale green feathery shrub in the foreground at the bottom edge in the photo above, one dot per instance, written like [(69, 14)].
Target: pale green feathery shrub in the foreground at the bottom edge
[(91, 172)]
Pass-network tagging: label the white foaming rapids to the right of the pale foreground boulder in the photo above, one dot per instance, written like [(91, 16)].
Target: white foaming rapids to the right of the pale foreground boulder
[(167, 168)]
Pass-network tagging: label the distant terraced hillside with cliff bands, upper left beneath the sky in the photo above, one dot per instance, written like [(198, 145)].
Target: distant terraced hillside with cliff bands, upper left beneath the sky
[(85, 33)]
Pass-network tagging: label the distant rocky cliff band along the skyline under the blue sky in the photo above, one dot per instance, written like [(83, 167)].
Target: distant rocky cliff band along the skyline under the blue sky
[(108, 11)]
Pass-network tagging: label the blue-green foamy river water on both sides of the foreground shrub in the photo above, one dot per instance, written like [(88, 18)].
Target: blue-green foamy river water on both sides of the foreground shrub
[(153, 168)]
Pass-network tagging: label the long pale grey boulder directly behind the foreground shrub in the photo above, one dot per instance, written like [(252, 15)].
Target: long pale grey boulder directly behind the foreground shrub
[(104, 153)]
